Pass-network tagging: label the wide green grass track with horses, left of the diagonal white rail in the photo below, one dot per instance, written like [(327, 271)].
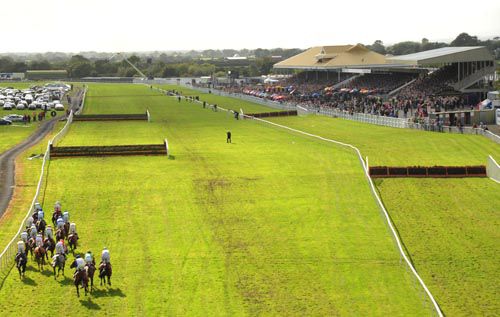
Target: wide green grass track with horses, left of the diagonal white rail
[(275, 223)]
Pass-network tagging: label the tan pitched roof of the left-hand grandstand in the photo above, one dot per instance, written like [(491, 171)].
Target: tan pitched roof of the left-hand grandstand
[(334, 57)]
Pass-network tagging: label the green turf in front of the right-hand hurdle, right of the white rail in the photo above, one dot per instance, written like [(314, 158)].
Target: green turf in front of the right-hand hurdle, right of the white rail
[(451, 230)]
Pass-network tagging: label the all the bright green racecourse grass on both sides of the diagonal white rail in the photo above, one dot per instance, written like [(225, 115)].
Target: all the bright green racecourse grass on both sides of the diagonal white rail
[(275, 223)]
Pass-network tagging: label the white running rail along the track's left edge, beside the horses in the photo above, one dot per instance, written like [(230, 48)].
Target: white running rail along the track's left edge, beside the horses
[(7, 255)]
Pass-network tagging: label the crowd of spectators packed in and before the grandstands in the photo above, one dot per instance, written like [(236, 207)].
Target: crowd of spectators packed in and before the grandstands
[(369, 93)]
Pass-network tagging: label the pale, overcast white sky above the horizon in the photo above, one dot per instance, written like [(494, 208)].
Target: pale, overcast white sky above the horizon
[(156, 25)]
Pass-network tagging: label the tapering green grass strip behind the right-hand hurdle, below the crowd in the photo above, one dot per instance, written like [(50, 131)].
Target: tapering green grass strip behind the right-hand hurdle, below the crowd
[(400, 147)]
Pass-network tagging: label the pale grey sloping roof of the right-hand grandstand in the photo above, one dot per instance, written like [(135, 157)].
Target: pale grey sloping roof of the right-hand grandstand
[(443, 56)]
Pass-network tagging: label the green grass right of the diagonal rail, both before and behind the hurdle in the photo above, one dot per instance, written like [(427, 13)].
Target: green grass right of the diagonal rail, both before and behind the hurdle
[(449, 226)]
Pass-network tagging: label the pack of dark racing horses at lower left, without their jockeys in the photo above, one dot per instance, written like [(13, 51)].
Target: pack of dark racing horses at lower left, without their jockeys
[(81, 278)]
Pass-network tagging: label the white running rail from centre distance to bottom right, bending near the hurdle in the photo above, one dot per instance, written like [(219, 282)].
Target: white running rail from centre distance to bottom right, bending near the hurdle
[(364, 165)]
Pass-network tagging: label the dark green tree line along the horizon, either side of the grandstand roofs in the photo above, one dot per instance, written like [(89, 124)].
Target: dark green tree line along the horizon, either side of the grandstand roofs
[(200, 63)]
